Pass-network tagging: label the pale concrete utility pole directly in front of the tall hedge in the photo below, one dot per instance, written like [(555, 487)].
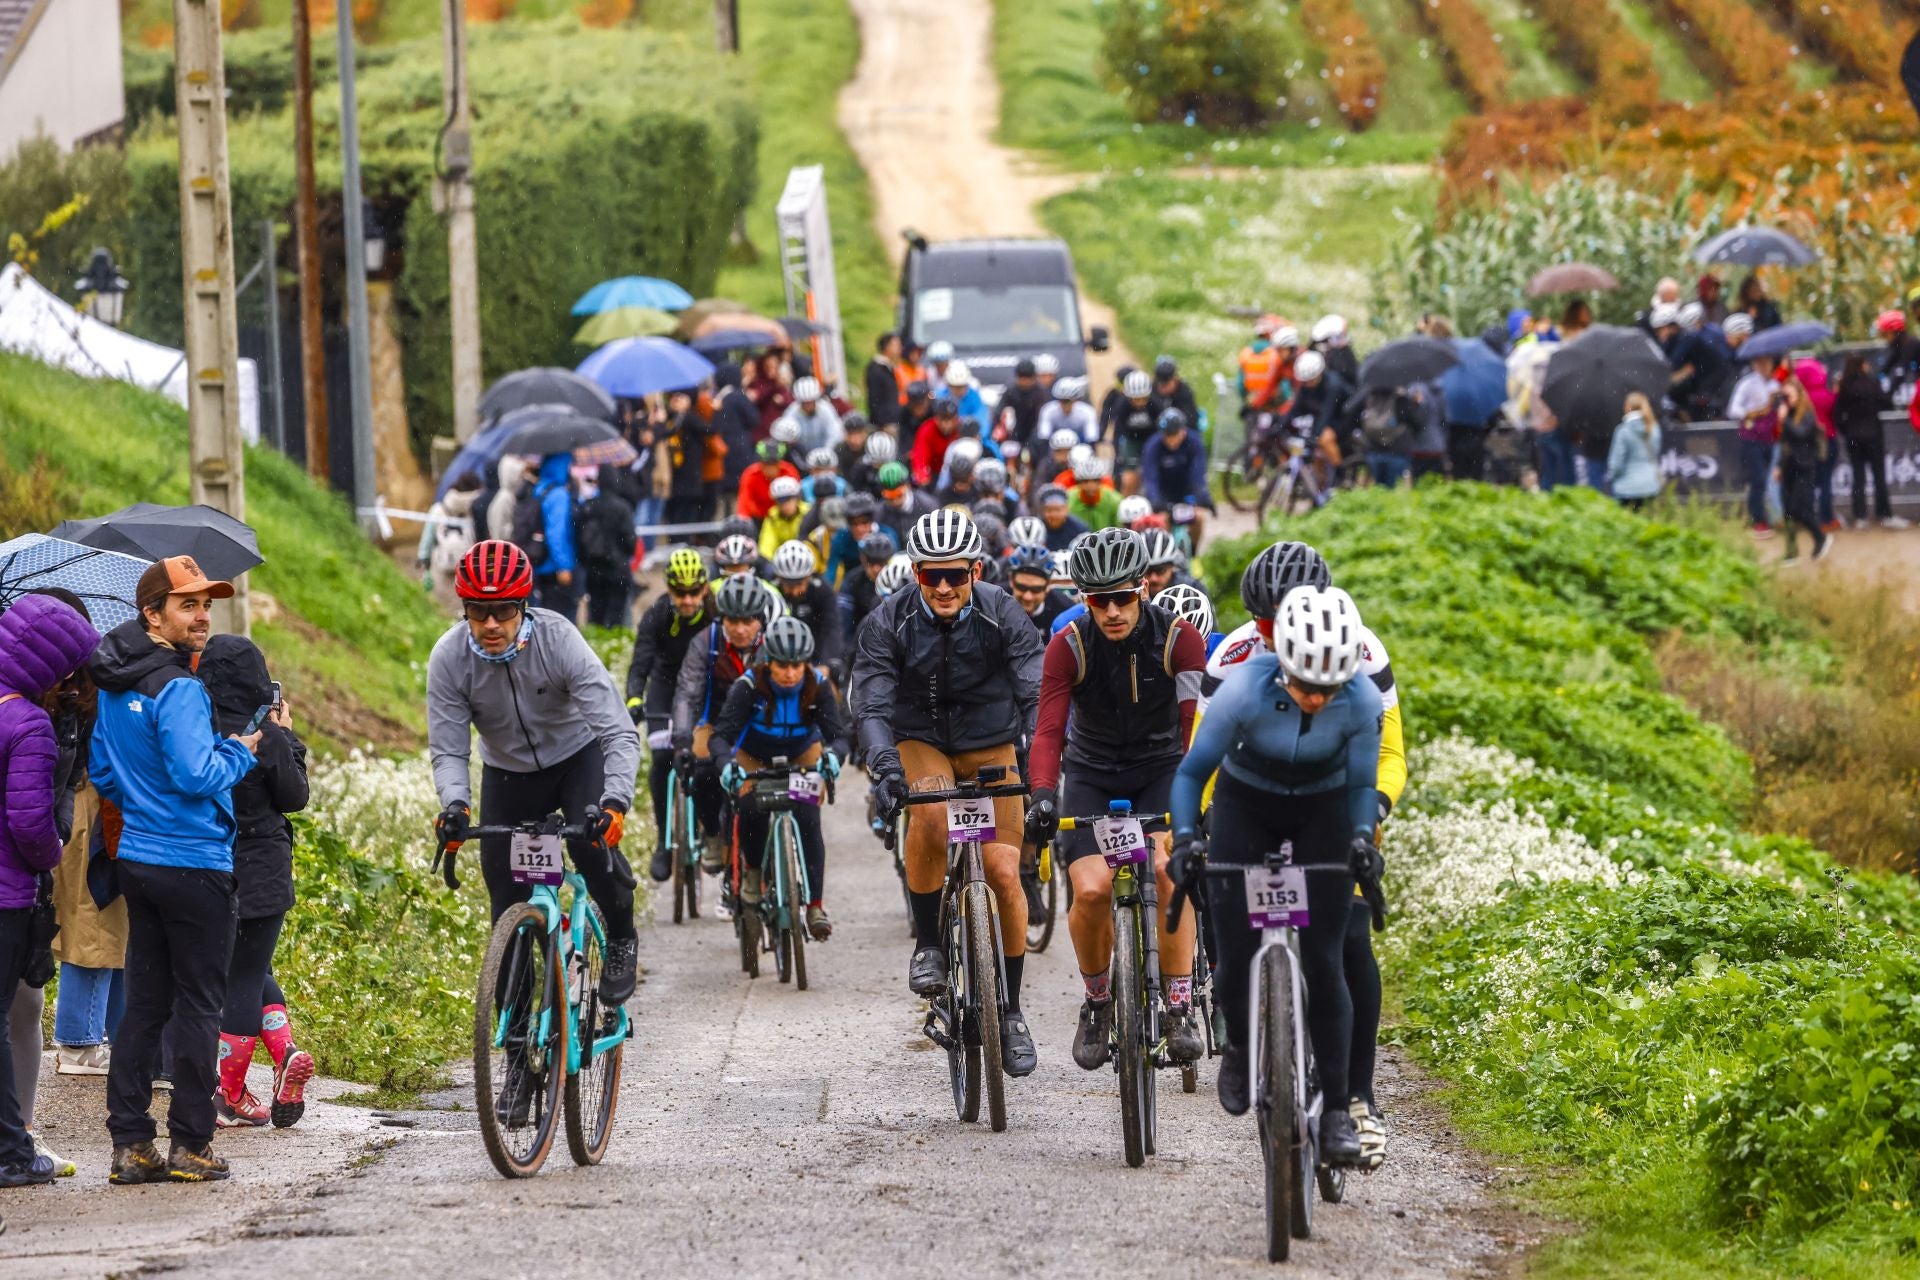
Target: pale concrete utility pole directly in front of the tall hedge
[(454, 197)]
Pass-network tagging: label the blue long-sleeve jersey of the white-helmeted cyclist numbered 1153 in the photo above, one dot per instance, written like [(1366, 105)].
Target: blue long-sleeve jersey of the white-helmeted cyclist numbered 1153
[(1257, 734)]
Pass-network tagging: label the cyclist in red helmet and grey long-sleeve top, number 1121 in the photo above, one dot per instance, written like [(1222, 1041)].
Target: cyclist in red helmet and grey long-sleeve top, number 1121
[(552, 738)]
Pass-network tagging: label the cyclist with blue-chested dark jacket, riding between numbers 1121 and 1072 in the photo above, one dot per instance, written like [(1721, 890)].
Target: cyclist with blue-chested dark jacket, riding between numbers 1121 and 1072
[(780, 707)]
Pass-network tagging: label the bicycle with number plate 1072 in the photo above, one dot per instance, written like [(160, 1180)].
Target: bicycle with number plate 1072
[(965, 1020)]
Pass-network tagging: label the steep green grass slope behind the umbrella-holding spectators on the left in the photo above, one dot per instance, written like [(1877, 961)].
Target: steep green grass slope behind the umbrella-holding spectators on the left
[(345, 628)]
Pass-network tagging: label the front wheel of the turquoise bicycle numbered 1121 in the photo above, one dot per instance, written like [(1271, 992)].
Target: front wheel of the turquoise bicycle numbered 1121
[(519, 1043)]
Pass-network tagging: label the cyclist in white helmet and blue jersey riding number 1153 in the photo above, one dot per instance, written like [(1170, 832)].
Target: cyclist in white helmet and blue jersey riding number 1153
[(1297, 742)]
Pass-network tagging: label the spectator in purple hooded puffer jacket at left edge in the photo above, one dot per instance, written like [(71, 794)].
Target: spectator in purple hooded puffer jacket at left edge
[(43, 642)]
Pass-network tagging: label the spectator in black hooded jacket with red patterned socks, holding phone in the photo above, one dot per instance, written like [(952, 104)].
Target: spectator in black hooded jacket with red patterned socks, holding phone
[(235, 673)]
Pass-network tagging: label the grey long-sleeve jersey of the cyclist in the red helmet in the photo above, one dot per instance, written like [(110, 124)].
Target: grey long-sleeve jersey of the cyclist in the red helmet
[(533, 713)]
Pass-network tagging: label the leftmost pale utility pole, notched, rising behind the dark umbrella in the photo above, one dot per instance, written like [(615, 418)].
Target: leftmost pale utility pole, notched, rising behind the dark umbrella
[(218, 463)]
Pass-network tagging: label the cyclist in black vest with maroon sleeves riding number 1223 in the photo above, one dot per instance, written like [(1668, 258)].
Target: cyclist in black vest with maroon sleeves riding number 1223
[(1130, 673)]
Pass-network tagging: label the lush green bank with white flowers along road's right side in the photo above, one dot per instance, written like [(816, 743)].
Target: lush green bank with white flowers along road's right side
[(1692, 1033)]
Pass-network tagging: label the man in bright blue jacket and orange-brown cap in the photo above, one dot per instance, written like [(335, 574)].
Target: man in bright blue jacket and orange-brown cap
[(158, 759)]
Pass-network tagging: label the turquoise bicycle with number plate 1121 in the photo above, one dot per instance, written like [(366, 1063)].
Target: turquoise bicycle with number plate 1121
[(542, 1039)]
